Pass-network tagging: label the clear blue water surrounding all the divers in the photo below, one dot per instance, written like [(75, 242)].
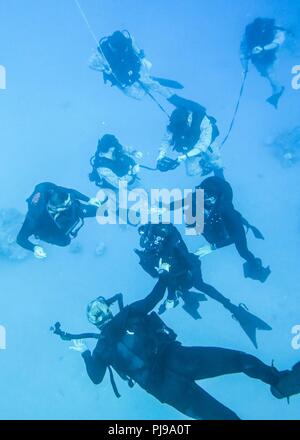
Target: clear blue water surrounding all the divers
[(53, 112)]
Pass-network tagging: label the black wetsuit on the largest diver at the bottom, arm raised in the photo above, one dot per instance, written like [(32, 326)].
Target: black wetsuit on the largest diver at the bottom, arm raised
[(162, 366)]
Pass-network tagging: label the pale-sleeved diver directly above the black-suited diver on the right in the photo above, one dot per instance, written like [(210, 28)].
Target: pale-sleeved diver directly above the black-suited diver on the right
[(191, 134)]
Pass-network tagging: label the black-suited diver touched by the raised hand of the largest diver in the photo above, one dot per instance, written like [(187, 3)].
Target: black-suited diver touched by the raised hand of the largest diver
[(162, 243)]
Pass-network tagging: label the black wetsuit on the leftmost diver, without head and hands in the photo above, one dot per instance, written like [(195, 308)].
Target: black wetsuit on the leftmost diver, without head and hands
[(41, 224)]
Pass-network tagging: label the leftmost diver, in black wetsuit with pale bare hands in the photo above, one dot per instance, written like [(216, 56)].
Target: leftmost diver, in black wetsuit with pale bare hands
[(55, 215)]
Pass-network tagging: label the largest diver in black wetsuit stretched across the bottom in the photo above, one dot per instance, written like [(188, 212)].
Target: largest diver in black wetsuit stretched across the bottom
[(141, 349)]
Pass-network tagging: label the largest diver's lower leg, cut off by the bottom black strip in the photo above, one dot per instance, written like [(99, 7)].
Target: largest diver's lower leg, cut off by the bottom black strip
[(188, 398)]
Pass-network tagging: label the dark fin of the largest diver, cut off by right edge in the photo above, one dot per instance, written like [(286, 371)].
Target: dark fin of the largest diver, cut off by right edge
[(289, 384)]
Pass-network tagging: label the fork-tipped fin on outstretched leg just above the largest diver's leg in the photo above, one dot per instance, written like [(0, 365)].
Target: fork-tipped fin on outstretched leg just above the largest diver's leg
[(249, 323)]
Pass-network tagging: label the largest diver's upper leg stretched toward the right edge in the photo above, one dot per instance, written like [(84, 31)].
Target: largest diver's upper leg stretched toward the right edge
[(198, 363)]
